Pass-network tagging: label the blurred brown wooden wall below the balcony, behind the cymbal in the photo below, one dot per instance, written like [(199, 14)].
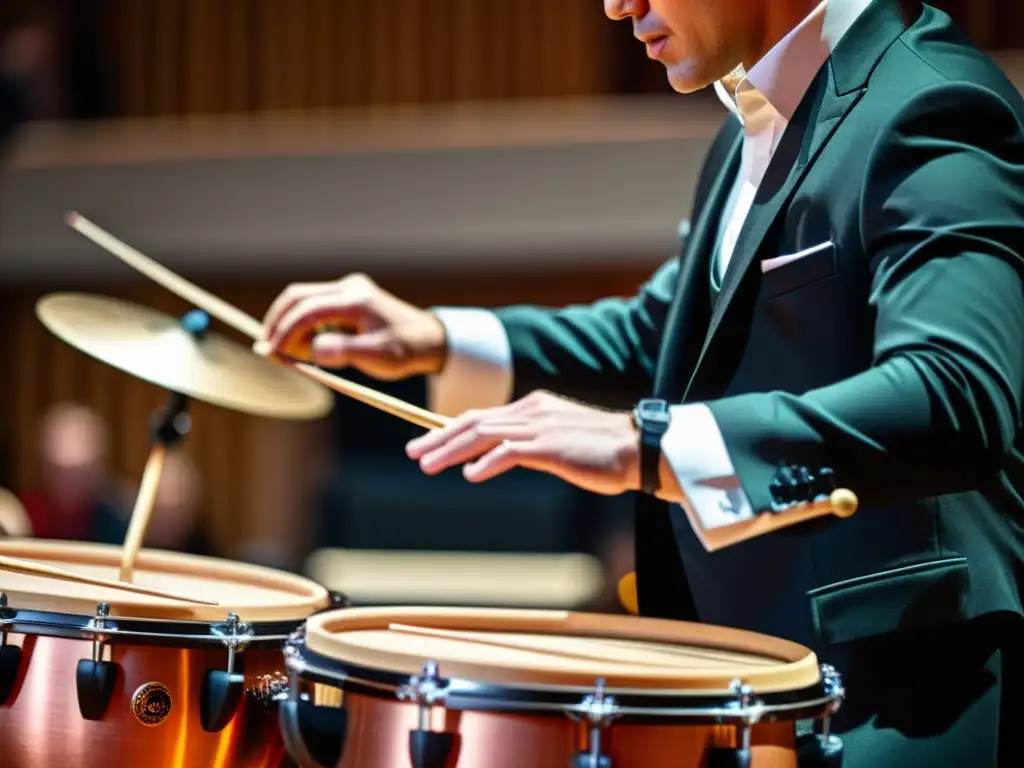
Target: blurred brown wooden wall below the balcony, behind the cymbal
[(255, 472)]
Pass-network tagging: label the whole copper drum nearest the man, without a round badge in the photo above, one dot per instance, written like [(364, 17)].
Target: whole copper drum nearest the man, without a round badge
[(479, 689)]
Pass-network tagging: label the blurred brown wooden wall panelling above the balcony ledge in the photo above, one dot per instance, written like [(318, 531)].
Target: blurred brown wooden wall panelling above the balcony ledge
[(207, 57)]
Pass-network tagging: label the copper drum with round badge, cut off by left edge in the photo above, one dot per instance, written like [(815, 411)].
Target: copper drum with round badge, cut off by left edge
[(94, 677)]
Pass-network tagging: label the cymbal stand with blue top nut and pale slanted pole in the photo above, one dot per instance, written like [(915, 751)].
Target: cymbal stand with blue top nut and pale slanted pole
[(169, 428)]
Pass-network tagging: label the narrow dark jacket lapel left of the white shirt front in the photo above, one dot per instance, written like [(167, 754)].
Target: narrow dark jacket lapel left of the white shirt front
[(691, 306)]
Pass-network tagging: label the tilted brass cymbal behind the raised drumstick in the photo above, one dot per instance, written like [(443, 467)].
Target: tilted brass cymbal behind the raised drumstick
[(157, 349)]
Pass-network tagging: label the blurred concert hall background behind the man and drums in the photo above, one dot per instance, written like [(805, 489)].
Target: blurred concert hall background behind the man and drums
[(482, 152)]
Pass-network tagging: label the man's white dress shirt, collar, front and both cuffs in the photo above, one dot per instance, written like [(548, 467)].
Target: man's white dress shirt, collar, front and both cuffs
[(479, 372)]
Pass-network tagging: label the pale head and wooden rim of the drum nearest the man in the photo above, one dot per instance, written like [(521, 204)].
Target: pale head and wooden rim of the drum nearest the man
[(543, 649)]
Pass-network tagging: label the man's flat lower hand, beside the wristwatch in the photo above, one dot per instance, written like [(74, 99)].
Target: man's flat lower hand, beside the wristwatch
[(595, 450)]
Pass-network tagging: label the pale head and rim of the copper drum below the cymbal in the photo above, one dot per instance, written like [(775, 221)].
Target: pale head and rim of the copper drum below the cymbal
[(254, 593)]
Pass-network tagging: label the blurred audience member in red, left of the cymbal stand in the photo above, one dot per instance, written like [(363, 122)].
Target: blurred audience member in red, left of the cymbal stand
[(75, 499)]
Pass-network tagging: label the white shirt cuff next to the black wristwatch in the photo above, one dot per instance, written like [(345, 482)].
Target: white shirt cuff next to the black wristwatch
[(695, 449)]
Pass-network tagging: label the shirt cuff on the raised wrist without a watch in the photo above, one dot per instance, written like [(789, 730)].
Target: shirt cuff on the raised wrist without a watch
[(479, 370)]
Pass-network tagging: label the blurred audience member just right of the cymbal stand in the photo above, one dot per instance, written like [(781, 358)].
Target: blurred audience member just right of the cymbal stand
[(176, 522)]
